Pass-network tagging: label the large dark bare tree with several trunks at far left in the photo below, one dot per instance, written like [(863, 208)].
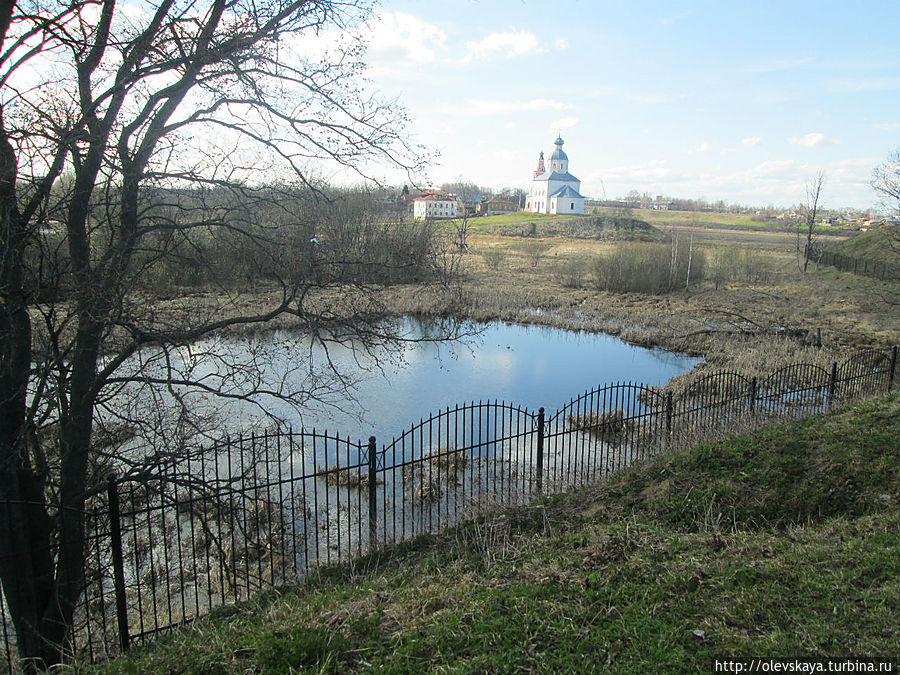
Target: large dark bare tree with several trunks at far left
[(139, 143)]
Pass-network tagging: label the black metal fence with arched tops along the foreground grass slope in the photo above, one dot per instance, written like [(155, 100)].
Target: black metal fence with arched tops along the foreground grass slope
[(262, 510)]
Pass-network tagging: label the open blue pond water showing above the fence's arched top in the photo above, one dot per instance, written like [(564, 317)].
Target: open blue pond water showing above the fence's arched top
[(531, 366)]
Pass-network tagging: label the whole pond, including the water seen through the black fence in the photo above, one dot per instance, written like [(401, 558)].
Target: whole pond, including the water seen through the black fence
[(280, 506)]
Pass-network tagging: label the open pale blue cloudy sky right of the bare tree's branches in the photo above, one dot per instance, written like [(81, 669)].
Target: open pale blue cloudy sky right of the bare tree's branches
[(743, 102)]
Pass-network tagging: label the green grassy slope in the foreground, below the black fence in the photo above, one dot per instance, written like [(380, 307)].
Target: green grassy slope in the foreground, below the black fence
[(781, 542)]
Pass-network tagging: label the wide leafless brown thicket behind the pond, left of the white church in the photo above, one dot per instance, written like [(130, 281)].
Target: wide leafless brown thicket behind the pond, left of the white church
[(286, 235)]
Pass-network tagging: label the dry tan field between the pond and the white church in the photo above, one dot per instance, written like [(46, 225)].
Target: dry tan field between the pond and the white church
[(760, 313)]
